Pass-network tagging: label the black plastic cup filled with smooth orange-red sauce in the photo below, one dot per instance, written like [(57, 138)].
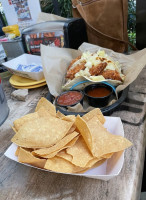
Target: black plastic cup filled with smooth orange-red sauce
[(98, 95)]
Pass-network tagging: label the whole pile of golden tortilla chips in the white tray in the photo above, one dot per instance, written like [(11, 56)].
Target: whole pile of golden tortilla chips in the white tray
[(66, 144)]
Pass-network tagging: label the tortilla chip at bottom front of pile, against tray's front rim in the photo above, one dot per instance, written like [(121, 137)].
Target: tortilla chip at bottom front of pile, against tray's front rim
[(58, 164)]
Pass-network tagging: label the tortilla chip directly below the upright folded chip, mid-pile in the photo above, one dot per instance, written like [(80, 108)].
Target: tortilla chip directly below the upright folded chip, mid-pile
[(80, 153)]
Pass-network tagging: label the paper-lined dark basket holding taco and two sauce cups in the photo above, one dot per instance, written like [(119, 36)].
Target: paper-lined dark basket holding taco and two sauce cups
[(80, 80)]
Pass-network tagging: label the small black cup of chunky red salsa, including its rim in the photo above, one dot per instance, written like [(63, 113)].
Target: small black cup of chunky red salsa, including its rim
[(69, 98)]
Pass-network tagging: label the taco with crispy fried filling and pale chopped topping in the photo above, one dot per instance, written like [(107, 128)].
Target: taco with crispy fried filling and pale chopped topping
[(93, 67)]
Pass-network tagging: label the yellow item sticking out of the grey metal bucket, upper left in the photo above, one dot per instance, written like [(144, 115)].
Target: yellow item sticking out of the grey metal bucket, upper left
[(14, 29)]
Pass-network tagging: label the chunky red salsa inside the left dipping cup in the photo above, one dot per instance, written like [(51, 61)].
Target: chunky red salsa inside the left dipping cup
[(69, 98)]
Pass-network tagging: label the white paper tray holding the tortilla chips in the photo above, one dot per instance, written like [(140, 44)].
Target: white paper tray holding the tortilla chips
[(109, 169)]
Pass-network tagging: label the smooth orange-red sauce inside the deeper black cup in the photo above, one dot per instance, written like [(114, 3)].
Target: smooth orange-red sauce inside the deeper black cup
[(99, 92)]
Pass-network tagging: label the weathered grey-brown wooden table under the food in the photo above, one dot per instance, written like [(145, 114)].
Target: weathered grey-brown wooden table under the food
[(19, 182)]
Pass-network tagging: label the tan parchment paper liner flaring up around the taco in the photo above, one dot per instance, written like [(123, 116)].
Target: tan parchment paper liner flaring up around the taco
[(55, 62)]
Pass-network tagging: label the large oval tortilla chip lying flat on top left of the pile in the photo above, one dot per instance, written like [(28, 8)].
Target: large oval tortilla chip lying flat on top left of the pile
[(43, 132)]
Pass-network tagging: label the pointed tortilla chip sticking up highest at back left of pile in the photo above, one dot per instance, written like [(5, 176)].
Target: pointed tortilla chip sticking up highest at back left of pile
[(43, 102)]
